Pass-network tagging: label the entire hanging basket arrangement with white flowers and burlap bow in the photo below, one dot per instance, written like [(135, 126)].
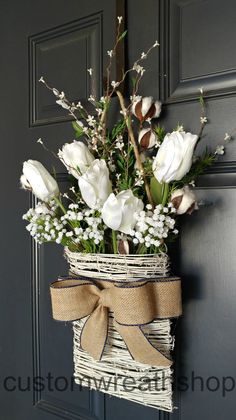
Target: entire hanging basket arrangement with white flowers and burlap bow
[(129, 182)]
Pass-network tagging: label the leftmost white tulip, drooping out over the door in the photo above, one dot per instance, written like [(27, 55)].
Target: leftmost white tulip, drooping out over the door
[(38, 179)]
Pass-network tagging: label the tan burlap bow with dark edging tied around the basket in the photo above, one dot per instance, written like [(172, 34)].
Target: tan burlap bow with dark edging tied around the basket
[(133, 305)]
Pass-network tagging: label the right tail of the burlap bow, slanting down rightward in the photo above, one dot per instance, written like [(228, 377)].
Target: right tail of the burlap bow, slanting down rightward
[(140, 347)]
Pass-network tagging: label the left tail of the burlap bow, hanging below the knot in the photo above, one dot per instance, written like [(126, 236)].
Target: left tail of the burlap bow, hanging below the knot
[(94, 333)]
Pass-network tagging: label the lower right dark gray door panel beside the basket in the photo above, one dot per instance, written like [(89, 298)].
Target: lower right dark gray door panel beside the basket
[(206, 342)]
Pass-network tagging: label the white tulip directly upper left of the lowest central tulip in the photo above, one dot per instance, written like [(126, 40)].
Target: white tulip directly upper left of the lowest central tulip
[(95, 185)]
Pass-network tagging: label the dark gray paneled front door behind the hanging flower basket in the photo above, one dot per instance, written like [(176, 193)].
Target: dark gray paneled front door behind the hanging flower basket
[(60, 39)]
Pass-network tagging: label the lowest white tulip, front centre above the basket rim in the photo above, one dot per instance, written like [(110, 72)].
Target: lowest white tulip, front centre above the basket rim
[(118, 211)]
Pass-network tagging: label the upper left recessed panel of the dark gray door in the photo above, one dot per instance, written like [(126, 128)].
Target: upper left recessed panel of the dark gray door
[(63, 54)]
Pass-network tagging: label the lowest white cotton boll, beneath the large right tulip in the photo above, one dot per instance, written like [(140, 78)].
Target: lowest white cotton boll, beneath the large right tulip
[(184, 200)]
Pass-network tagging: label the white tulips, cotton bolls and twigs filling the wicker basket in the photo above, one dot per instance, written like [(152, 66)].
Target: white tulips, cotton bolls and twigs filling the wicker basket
[(129, 184)]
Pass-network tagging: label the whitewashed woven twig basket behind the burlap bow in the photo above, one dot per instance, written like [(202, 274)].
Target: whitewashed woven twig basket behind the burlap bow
[(117, 373)]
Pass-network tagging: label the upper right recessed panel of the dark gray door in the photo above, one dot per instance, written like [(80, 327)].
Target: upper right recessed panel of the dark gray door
[(201, 38)]
